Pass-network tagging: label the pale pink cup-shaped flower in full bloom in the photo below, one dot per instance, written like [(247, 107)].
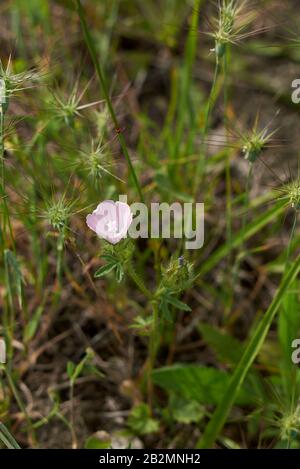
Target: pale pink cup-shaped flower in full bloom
[(110, 220)]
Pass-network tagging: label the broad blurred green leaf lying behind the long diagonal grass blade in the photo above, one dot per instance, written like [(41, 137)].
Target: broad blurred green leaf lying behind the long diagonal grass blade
[(192, 382)]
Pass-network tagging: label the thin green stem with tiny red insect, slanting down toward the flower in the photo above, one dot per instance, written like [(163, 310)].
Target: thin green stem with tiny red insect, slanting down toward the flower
[(90, 45)]
